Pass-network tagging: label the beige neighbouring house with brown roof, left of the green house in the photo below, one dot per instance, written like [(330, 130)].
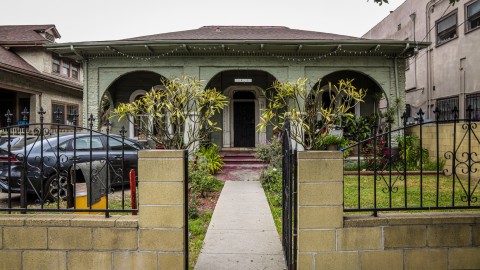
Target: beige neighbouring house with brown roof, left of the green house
[(32, 77)]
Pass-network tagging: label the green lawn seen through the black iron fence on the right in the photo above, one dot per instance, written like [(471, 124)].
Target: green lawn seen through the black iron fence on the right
[(385, 199)]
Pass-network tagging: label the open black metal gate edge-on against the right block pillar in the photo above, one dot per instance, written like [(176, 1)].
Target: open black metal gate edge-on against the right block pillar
[(289, 199)]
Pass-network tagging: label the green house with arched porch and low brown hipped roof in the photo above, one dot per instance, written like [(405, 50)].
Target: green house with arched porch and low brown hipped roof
[(242, 62)]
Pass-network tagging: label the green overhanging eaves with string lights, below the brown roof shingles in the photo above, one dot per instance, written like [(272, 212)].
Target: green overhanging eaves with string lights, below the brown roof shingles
[(184, 48)]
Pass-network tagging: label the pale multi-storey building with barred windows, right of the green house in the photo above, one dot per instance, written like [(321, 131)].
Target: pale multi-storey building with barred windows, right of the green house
[(446, 75)]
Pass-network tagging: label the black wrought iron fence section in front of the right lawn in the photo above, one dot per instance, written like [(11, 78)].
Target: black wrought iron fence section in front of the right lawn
[(427, 165)]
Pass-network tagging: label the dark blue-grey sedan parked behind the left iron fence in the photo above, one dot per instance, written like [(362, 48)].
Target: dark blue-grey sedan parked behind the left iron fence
[(52, 163)]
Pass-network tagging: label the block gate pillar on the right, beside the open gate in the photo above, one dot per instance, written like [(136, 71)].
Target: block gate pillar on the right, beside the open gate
[(320, 204)]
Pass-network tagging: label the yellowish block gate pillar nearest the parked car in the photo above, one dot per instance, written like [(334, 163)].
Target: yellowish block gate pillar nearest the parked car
[(161, 206)]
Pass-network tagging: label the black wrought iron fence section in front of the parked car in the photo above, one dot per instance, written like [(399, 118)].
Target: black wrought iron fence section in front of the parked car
[(84, 170)]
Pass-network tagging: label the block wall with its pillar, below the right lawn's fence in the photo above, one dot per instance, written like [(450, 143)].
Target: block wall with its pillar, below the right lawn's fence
[(329, 239)]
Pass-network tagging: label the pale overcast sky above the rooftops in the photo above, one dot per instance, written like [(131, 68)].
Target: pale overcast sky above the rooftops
[(88, 20)]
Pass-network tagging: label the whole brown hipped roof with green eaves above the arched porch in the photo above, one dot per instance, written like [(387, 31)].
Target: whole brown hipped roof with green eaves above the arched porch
[(238, 41)]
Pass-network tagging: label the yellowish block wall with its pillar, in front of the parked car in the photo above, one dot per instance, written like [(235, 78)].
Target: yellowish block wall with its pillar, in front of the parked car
[(152, 240)]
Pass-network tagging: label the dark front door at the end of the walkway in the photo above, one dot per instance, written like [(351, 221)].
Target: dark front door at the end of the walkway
[(244, 124)]
